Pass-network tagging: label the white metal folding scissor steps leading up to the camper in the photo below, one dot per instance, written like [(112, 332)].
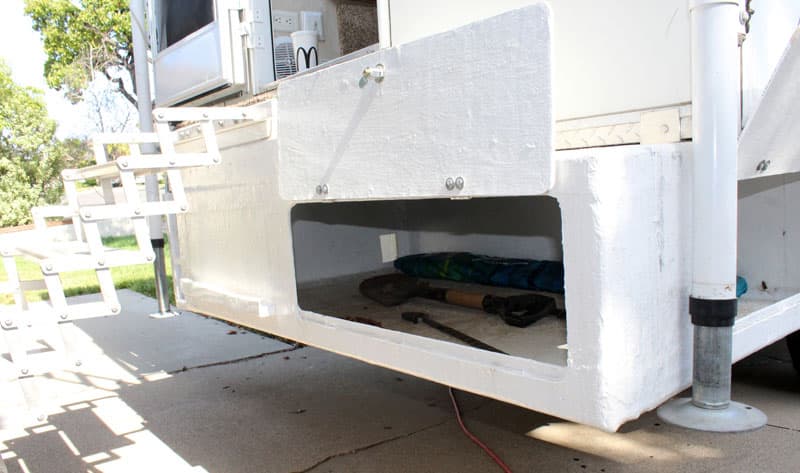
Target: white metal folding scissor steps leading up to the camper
[(86, 251)]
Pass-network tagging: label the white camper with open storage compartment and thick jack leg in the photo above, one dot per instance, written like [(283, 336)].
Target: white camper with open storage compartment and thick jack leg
[(649, 147)]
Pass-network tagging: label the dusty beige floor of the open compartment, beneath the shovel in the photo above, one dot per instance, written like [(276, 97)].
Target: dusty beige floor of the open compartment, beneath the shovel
[(543, 341)]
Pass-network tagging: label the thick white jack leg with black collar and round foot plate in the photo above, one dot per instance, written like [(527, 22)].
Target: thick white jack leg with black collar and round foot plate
[(713, 303)]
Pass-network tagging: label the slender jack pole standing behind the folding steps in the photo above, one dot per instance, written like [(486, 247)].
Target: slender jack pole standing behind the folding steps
[(142, 79)]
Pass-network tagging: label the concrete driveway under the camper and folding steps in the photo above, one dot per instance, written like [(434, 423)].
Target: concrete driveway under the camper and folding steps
[(190, 394)]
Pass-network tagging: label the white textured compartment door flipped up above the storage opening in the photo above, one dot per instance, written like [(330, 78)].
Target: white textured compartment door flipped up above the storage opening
[(463, 113)]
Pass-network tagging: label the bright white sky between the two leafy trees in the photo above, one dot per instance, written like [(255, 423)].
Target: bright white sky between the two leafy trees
[(21, 48)]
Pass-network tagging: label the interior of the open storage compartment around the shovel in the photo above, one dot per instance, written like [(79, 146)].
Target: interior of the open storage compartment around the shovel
[(339, 245)]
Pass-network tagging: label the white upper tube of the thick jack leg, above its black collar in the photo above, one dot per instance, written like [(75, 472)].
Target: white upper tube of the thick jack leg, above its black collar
[(715, 131)]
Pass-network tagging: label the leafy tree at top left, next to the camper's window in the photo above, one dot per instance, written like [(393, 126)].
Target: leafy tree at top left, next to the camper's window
[(82, 38)]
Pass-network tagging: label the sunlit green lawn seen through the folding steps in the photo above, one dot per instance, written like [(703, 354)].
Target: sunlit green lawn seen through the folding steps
[(138, 278)]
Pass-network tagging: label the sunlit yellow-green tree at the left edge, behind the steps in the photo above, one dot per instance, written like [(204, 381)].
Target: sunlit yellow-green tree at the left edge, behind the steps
[(31, 158)]
